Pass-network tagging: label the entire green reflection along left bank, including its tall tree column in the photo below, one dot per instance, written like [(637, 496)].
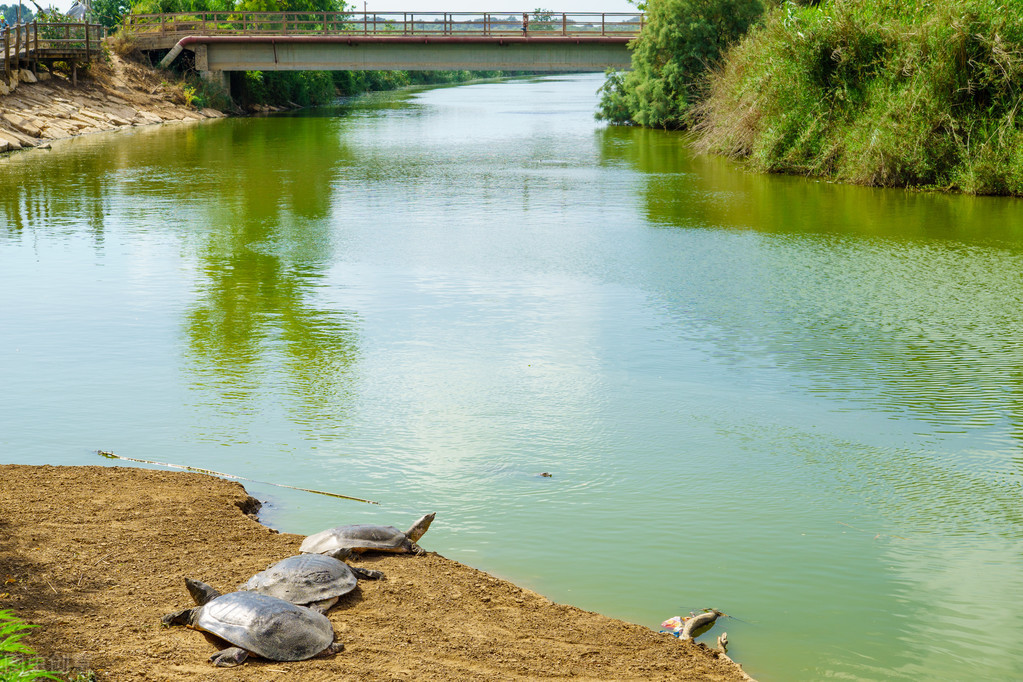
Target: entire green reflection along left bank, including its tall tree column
[(252, 202)]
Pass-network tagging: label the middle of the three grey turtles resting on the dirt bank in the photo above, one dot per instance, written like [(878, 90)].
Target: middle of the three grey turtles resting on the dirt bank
[(317, 581)]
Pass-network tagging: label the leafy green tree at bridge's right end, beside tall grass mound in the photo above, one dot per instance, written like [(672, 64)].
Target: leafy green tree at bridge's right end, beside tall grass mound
[(681, 40)]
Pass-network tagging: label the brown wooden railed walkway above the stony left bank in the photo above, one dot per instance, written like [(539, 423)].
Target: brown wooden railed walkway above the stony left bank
[(29, 43)]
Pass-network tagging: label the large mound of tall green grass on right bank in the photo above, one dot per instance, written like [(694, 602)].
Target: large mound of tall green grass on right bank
[(877, 93)]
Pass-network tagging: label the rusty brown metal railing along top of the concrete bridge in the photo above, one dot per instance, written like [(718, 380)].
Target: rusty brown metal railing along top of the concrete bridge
[(497, 25)]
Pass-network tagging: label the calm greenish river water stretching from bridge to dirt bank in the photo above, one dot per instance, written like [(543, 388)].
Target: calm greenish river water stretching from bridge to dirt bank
[(797, 402)]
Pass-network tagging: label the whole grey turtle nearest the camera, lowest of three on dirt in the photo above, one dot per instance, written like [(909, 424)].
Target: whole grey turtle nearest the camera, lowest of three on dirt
[(256, 624)]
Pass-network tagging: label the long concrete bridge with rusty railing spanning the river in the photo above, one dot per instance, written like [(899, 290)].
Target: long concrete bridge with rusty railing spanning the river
[(226, 42)]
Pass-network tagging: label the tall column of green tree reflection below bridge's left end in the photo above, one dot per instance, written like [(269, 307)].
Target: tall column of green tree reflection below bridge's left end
[(257, 326)]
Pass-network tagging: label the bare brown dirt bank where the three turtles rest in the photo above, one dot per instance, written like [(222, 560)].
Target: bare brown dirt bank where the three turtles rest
[(97, 556)]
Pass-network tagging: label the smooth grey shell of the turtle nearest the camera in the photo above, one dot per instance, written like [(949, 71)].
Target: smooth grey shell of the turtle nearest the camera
[(266, 626)]
